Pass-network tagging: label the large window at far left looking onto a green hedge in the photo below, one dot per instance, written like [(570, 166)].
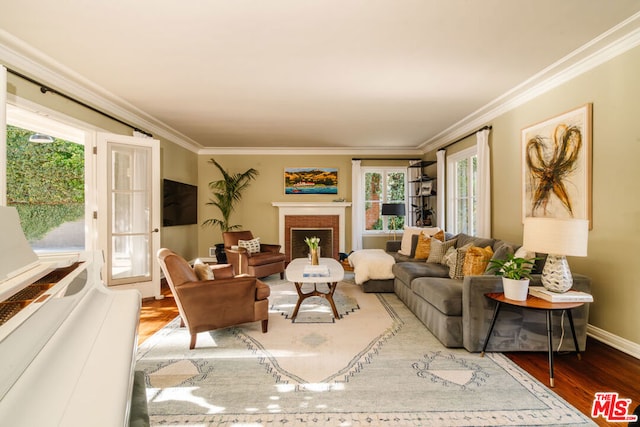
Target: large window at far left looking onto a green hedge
[(46, 181)]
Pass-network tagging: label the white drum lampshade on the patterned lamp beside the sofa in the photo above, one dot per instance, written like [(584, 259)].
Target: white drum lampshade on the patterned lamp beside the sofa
[(556, 236)]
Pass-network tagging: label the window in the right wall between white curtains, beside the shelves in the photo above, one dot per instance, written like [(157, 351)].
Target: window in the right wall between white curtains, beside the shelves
[(462, 191)]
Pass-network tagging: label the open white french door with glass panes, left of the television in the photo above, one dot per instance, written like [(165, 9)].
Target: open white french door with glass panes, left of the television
[(129, 211)]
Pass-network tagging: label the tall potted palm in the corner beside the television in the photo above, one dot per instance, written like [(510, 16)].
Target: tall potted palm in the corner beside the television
[(226, 193)]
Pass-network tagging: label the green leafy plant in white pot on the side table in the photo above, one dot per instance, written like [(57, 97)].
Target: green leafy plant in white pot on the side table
[(516, 273)]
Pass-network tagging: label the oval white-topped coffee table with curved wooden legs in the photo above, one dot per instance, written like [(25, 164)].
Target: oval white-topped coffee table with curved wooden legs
[(295, 272)]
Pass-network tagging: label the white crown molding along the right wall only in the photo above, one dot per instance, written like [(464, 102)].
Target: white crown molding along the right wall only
[(618, 40)]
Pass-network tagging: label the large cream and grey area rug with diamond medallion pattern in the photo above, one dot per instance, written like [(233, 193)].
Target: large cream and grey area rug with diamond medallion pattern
[(377, 366)]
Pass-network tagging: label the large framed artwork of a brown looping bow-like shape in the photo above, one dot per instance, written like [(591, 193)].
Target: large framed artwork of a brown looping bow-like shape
[(556, 166)]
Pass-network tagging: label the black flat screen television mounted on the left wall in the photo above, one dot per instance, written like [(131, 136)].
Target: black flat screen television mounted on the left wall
[(179, 203)]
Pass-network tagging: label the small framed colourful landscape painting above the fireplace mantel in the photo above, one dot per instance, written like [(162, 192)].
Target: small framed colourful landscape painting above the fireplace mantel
[(311, 180)]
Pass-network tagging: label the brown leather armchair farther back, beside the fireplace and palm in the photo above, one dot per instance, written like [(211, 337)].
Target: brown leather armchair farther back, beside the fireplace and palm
[(261, 264)]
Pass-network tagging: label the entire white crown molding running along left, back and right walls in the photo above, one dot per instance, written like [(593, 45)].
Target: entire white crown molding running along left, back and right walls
[(15, 53)]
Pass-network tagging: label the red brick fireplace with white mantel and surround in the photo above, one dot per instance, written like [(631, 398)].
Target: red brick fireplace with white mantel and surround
[(314, 218)]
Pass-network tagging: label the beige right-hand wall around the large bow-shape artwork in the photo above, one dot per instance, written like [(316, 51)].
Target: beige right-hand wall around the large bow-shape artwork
[(614, 241)]
